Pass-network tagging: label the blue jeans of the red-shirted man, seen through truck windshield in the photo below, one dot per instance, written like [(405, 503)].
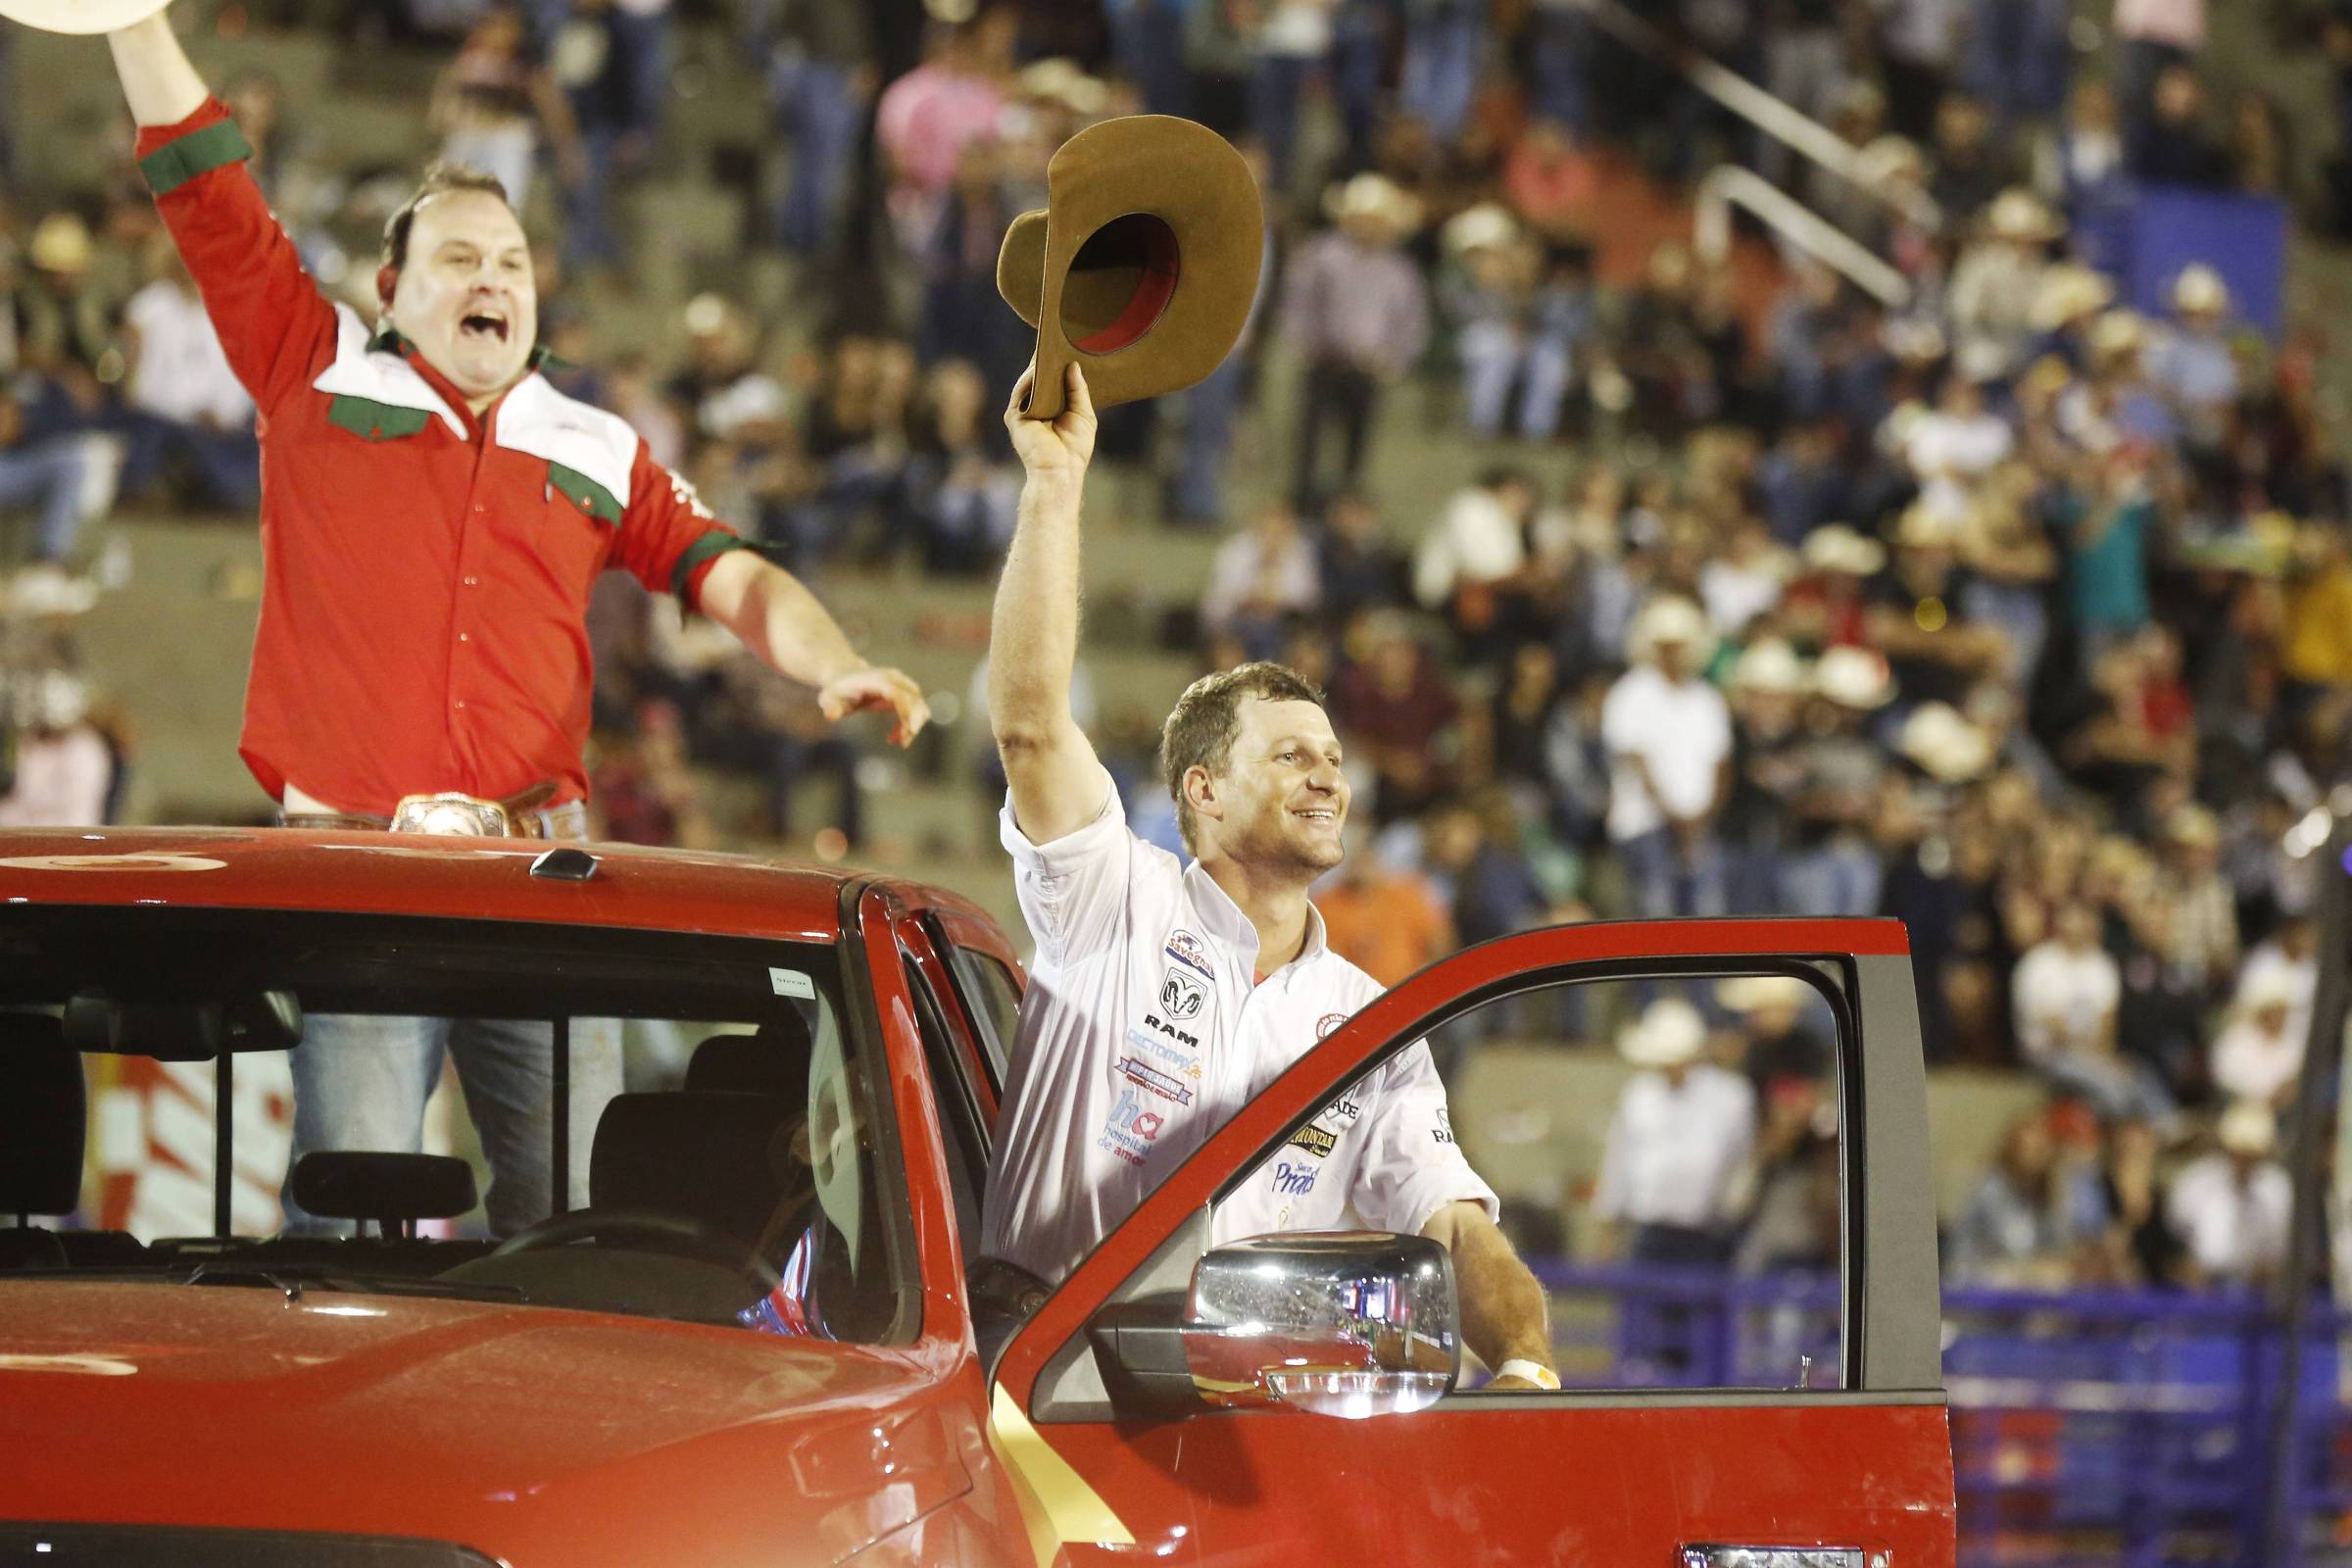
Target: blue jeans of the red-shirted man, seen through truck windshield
[(361, 1083)]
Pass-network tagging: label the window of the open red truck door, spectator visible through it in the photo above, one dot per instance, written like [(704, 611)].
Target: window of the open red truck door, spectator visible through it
[(1669, 1160)]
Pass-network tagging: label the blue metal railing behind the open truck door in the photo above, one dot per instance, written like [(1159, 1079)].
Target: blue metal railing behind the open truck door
[(2120, 1428)]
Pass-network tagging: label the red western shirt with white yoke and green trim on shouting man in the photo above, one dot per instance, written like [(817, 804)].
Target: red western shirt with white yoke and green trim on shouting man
[(425, 570)]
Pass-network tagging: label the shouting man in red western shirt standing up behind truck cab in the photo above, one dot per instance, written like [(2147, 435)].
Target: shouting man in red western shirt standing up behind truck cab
[(434, 516)]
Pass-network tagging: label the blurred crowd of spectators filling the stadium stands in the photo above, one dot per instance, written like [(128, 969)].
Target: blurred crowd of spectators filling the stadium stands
[(1982, 601)]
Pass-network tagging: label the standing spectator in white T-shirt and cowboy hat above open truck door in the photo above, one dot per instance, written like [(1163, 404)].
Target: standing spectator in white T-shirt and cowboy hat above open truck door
[(1669, 737)]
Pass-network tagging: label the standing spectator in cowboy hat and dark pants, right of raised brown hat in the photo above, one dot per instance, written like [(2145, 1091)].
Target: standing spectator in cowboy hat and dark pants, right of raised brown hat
[(1358, 311)]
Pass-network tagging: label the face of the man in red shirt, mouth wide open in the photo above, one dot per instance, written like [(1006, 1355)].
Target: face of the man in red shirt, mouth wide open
[(467, 293)]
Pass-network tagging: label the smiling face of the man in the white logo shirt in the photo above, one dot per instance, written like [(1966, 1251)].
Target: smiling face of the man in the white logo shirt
[(1281, 800)]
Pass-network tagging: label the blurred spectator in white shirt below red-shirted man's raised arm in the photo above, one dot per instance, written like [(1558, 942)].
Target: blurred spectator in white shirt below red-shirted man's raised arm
[(185, 401)]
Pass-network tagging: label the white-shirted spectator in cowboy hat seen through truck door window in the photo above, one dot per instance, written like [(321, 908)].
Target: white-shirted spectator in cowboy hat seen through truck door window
[(1678, 1158)]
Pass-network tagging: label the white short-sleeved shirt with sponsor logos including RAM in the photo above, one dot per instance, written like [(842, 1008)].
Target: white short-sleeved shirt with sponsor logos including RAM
[(1142, 1033)]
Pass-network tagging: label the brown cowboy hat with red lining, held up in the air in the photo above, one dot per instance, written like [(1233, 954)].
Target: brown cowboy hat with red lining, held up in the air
[(1144, 264)]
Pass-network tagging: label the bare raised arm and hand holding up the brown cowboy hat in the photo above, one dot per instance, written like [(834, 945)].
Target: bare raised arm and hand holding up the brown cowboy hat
[(1053, 770)]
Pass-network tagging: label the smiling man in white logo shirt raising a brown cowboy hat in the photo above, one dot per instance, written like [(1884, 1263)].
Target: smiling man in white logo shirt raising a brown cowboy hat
[(1165, 996)]
